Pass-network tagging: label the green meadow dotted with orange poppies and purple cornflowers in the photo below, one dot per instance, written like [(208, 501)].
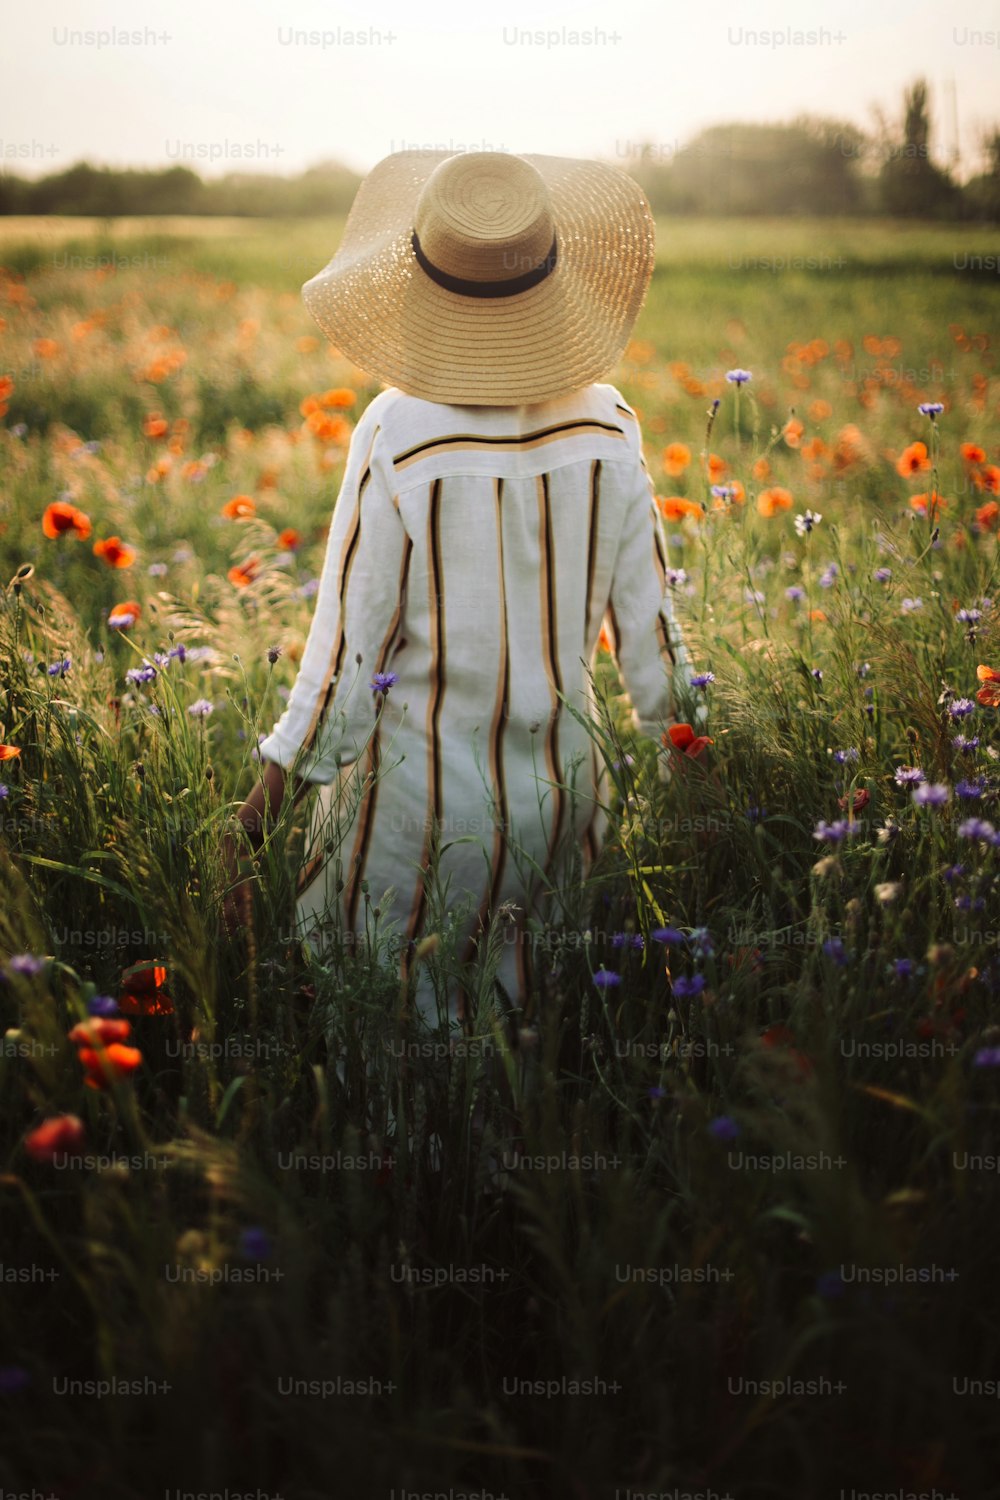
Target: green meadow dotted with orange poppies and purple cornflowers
[(710, 1213)]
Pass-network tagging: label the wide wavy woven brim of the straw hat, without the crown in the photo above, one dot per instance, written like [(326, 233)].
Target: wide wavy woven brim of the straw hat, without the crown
[(392, 320)]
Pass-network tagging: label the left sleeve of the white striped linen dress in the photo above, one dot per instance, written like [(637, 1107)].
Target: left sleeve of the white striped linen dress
[(332, 707)]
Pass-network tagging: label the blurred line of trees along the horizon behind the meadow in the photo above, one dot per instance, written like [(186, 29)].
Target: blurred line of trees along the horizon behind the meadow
[(810, 166)]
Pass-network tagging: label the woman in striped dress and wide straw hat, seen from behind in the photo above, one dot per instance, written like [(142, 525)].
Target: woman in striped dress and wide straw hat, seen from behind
[(496, 512)]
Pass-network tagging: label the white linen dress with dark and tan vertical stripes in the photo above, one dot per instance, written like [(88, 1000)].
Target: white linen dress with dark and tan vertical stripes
[(475, 553)]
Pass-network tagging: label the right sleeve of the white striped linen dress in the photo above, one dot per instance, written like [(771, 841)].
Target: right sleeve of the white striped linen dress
[(648, 643)]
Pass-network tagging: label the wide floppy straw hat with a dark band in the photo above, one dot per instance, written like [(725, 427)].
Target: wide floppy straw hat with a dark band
[(488, 280)]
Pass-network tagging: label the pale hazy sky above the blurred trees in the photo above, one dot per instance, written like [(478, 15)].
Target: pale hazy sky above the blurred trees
[(205, 83)]
